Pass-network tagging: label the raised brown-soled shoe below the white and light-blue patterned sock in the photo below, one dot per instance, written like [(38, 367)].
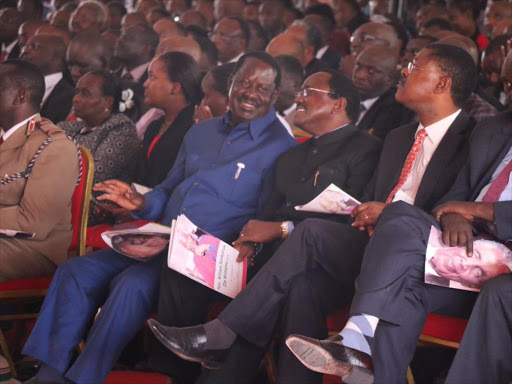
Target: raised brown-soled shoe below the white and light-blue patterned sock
[(319, 360)]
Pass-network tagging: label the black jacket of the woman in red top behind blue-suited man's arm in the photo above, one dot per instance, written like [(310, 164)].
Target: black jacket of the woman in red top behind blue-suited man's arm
[(152, 171)]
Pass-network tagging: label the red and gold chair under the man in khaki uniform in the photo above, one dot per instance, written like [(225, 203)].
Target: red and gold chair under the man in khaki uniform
[(26, 290)]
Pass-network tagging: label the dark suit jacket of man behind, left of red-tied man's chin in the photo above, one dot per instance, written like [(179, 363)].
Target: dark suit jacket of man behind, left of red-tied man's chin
[(385, 115)]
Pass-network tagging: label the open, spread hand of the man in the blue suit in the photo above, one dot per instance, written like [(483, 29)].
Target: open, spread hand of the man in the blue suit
[(120, 193)]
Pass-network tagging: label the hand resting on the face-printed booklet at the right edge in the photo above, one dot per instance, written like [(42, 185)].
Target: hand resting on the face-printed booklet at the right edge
[(457, 232)]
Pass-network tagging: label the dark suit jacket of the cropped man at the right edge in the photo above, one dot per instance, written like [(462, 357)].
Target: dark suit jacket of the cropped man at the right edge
[(490, 143)]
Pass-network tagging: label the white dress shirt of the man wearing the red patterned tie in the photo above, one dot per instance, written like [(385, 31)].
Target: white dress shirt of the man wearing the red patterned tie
[(435, 133)]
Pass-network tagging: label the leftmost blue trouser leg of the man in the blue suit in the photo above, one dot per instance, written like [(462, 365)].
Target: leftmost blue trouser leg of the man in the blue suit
[(78, 288)]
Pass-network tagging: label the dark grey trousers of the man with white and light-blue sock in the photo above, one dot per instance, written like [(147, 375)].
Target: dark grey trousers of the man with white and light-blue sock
[(391, 287)]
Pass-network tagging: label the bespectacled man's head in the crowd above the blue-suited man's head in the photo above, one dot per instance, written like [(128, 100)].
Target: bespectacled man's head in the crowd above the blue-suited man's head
[(230, 36)]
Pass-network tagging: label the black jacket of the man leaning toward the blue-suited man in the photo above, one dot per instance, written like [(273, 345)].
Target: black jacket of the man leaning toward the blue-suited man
[(345, 157)]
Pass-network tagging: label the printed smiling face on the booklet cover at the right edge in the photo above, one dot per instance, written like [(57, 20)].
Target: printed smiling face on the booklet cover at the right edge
[(486, 263)]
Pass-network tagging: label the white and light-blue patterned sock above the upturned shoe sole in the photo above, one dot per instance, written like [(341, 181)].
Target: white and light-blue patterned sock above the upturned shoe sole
[(359, 331)]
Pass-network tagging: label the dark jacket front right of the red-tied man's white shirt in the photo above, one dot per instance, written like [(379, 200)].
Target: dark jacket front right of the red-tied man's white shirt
[(447, 149)]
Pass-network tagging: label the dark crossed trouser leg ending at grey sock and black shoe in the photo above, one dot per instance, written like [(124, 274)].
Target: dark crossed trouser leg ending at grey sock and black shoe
[(254, 312)]
